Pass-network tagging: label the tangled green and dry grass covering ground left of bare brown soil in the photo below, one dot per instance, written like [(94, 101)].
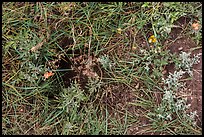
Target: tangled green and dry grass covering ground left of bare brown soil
[(34, 35)]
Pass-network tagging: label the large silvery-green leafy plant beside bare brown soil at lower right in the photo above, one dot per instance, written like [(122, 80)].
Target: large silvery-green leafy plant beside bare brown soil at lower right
[(170, 104)]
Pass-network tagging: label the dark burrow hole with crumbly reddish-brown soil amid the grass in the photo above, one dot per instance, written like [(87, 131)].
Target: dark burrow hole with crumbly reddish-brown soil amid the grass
[(78, 64)]
